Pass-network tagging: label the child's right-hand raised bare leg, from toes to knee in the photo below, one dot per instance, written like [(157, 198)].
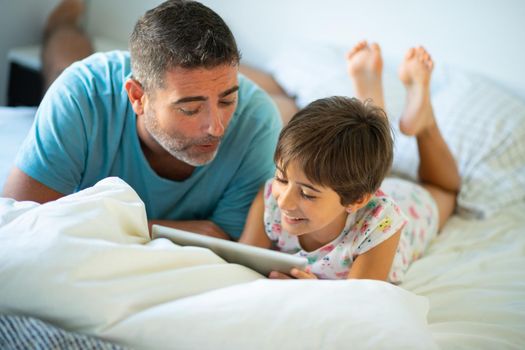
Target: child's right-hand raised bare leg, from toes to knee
[(437, 168)]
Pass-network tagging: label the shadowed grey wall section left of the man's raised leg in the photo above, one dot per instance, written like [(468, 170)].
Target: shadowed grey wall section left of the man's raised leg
[(21, 23)]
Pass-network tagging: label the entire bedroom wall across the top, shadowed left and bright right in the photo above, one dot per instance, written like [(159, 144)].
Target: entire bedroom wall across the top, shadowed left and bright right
[(485, 36)]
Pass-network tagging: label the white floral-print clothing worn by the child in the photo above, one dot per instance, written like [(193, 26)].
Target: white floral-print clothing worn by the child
[(369, 226)]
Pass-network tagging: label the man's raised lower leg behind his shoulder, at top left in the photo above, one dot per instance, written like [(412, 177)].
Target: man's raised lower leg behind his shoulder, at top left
[(64, 41)]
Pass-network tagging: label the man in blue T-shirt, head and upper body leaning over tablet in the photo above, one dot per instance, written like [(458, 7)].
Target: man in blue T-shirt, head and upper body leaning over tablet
[(172, 118)]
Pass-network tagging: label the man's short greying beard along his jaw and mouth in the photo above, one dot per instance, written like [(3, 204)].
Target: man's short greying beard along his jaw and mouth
[(179, 146)]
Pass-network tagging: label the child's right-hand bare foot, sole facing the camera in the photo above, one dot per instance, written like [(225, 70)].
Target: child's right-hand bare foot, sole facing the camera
[(414, 73)]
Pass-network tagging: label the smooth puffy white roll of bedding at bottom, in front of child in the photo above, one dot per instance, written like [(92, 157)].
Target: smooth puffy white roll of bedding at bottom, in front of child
[(270, 314)]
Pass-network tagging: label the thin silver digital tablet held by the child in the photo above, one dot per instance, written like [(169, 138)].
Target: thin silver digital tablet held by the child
[(259, 259)]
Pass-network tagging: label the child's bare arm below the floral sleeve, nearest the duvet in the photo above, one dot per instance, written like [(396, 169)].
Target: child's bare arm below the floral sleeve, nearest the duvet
[(377, 262)]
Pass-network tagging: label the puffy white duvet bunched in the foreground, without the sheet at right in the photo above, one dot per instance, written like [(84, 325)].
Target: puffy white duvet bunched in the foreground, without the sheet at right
[(86, 264)]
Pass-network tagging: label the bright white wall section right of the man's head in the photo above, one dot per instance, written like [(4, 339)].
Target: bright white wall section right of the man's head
[(485, 36)]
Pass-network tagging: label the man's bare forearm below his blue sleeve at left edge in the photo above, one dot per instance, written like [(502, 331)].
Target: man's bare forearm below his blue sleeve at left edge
[(22, 187)]
